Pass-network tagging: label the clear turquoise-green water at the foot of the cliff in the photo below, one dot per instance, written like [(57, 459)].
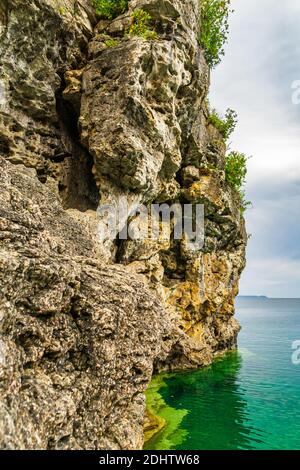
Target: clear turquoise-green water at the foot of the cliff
[(248, 400)]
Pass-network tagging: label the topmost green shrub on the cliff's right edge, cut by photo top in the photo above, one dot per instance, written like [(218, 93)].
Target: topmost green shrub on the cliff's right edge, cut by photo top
[(214, 29)]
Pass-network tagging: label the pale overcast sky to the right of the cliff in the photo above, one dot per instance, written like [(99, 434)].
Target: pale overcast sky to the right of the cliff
[(255, 78)]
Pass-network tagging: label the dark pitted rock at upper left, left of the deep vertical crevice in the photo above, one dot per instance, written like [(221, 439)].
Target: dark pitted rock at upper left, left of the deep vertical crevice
[(39, 41)]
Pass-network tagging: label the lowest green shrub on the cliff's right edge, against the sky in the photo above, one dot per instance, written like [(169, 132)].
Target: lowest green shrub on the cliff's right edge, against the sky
[(236, 172)]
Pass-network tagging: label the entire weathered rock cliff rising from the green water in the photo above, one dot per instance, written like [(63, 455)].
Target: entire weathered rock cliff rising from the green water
[(89, 115)]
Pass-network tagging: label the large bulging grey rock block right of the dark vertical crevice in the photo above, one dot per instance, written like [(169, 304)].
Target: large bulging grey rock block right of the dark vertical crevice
[(140, 100)]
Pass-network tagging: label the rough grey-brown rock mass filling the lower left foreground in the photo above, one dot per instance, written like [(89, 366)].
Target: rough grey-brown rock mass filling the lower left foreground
[(78, 338)]
